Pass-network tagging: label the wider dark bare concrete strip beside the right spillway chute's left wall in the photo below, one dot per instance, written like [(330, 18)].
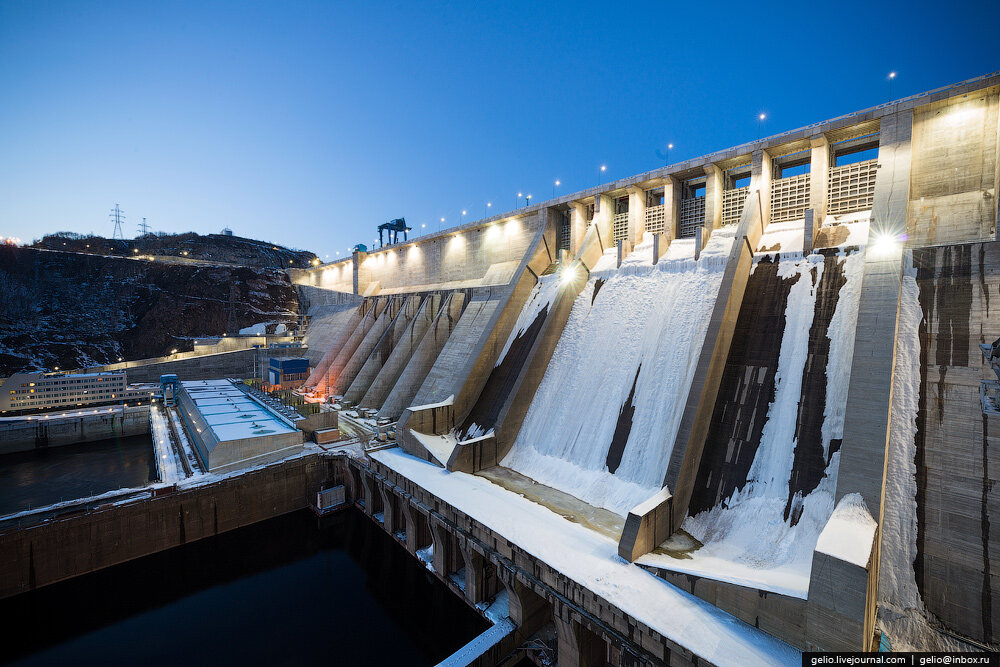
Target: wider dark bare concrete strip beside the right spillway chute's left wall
[(746, 389)]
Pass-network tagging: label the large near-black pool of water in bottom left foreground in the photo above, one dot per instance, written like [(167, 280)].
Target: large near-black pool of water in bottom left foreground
[(289, 591)]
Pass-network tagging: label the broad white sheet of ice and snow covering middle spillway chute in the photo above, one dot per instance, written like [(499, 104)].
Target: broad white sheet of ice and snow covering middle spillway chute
[(602, 422)]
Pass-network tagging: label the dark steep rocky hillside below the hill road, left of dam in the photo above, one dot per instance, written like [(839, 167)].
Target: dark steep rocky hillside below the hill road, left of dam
[(72, 310)]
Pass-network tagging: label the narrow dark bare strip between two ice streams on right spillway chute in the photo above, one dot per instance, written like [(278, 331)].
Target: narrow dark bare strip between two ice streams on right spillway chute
[(810, 461)]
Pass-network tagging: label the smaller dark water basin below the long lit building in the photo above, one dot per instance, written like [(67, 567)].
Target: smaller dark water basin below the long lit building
[(45, 476)]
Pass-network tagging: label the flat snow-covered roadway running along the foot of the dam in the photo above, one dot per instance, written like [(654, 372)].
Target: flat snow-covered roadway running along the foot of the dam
[(592, 560)]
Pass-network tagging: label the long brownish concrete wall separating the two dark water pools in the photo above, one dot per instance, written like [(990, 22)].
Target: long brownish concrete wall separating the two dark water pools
[(52, 551)]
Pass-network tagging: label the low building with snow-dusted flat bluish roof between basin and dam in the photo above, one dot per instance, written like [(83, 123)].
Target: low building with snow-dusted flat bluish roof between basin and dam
[(230, 428)]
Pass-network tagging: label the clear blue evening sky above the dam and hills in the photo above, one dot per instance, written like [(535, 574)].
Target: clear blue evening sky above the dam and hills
[(309, 123)]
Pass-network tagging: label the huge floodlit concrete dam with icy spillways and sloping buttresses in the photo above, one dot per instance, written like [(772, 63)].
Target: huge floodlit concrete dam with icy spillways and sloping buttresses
[(722, 412)]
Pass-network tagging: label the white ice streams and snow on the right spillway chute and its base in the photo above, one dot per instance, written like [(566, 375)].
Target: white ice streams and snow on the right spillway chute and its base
[(746, 539)]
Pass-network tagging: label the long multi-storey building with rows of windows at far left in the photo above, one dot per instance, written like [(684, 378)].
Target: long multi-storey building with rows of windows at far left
[(25, 392)]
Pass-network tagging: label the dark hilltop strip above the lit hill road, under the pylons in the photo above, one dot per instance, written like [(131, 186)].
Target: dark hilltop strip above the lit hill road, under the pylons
[(189, 247)]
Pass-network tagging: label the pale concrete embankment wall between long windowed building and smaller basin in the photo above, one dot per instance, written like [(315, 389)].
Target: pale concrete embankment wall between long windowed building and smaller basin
[(54, 429)]
